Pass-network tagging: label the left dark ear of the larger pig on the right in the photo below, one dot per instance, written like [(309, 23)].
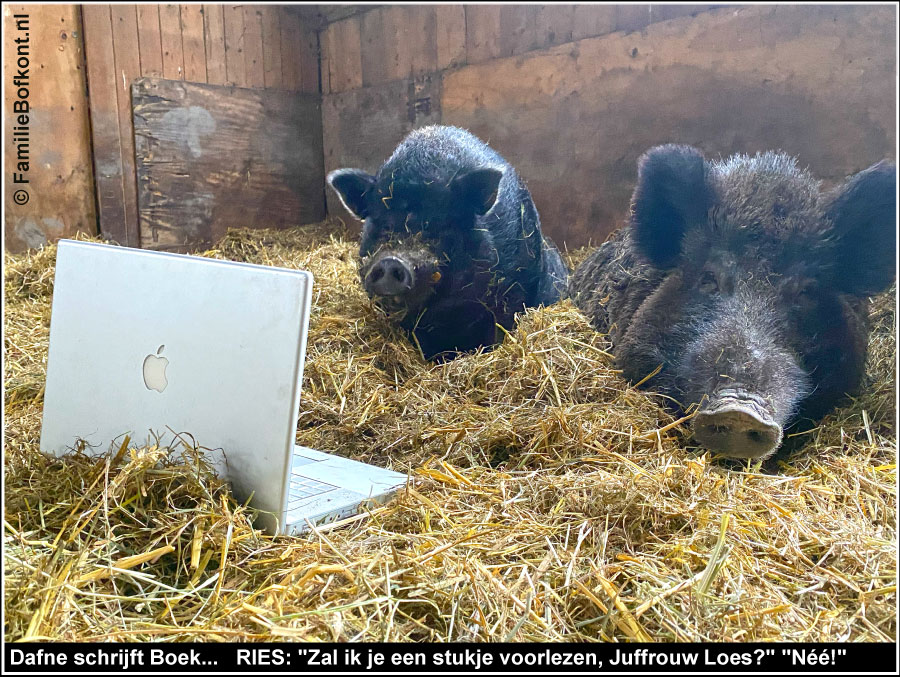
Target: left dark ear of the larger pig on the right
[(671, 196)]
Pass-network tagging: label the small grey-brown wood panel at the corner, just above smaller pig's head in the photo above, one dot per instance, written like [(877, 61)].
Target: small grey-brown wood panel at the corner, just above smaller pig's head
[(362, 127)]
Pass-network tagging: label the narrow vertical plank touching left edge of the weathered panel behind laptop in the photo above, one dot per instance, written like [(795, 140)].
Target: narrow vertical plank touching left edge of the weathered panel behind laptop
[(127, 68)]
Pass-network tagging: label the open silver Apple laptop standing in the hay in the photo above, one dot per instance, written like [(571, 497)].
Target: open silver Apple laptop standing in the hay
[(177, 348)]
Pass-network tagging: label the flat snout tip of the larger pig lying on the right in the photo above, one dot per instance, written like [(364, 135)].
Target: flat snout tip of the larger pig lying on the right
[(738, 425)]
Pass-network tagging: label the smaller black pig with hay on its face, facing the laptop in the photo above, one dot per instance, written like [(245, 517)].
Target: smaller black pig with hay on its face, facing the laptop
[(452, 243)]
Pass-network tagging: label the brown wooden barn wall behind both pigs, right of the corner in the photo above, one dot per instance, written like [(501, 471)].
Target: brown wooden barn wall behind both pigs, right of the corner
[(572, 95)]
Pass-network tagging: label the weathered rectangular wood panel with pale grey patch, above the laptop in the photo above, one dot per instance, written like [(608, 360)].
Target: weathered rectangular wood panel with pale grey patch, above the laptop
[(213, 157)]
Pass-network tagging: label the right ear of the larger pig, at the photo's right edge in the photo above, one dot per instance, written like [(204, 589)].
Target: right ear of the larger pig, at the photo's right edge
[(863, 212)]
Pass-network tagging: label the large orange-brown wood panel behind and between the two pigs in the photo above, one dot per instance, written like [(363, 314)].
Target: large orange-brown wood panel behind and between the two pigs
[(815, 81)]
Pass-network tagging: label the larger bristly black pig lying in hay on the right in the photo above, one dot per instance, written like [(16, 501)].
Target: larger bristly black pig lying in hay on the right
[(748, 285)]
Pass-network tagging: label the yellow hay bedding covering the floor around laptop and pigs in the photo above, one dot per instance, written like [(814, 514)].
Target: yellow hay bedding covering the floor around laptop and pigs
[(552, 501)]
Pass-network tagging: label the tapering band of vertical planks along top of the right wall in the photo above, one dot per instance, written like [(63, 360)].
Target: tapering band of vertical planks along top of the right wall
[(400, 41)]
